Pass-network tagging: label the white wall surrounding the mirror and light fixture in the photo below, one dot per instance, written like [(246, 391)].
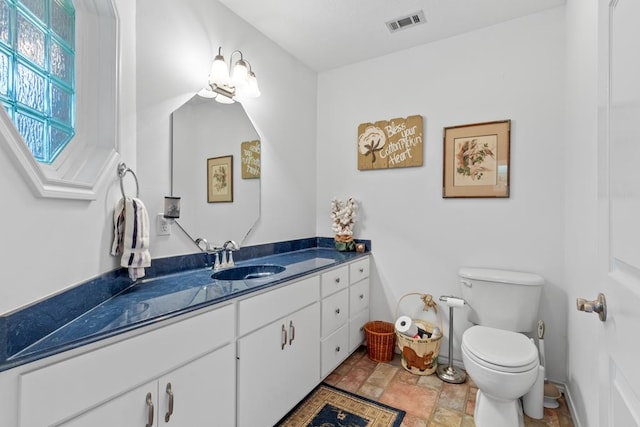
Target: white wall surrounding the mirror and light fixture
[(176, 44)]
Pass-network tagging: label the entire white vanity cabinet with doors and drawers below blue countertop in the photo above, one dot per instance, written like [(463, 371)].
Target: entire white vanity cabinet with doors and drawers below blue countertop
[(245, 362)]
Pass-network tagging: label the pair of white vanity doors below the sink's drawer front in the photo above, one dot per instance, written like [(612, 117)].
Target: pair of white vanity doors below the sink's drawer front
[(277, 366)]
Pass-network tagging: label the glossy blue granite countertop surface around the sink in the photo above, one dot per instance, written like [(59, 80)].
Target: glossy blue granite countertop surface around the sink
[(161, 297)]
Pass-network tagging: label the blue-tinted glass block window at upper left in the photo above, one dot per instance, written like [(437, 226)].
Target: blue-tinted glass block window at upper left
[(37, 60)]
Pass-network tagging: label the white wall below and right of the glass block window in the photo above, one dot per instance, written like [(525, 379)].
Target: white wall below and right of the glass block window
[(48, 245)]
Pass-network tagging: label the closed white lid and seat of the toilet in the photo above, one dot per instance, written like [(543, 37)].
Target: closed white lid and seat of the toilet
[(499, 349)]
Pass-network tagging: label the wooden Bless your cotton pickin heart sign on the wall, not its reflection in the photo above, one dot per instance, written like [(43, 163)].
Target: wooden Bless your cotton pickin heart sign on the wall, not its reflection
[(396, 143)]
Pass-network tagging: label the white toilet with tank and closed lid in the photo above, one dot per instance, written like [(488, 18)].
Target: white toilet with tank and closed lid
[(499, 358)]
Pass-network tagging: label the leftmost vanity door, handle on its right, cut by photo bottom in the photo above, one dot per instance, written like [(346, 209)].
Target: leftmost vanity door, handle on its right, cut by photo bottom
[(131, 409)]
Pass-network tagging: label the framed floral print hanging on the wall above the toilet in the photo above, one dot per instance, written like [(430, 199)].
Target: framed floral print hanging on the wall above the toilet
[(476, 160)]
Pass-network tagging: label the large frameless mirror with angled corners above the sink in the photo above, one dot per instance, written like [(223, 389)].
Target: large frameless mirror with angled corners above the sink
[(215, 170)]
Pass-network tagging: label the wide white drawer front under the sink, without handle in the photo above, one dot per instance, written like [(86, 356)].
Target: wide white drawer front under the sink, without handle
[(255, 312)]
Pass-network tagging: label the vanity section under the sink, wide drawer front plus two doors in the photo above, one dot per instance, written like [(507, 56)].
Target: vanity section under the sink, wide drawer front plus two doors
[(278, 351)]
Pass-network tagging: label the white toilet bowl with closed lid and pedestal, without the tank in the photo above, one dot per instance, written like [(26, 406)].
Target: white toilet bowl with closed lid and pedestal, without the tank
[(504, 366)]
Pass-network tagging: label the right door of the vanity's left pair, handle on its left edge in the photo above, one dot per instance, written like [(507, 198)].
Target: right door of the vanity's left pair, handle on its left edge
[(203, 392)]
